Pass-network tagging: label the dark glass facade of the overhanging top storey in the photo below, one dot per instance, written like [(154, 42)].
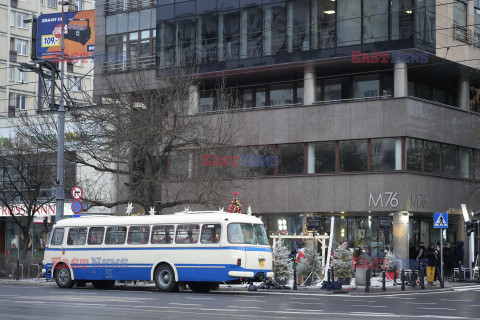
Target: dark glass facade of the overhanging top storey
[(228, 31)]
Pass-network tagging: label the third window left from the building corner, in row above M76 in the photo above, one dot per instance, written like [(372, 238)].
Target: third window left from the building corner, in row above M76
[(321, 157)]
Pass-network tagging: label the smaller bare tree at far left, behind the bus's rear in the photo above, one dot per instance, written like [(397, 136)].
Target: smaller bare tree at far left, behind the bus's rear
[(27, 174)]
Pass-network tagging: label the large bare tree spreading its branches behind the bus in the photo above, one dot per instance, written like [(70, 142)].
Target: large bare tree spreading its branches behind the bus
[(140, 125)]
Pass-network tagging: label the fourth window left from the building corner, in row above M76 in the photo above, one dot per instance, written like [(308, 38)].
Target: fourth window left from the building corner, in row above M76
[(291, 158)]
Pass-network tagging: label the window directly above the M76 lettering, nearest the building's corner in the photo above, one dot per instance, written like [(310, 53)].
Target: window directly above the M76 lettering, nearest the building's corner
[(386, 154)]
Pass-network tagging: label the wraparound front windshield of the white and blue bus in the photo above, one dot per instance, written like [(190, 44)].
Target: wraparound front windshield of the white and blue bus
[(246, 233)]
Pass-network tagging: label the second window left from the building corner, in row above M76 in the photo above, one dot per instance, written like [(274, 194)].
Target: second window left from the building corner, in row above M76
[(352, 155)]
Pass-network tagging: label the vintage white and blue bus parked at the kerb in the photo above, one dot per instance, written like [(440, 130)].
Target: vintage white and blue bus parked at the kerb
[(201, 249)]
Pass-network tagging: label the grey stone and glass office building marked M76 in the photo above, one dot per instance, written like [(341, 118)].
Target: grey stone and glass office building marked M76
[(369, 106)]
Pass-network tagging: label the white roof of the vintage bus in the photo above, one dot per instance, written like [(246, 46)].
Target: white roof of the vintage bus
[(179, 218)]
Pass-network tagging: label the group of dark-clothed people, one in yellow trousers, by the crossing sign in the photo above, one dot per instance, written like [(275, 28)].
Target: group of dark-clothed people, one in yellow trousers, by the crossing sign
[(430, 259)]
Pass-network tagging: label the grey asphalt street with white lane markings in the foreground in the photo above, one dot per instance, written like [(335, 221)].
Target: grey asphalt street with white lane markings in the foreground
[(33, 302)]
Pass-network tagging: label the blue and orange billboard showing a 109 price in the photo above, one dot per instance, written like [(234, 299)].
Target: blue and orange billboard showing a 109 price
[(79, 34)]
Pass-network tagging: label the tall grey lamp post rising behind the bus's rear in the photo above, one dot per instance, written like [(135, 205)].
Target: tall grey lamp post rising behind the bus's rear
[(60, 194)]
